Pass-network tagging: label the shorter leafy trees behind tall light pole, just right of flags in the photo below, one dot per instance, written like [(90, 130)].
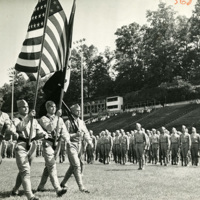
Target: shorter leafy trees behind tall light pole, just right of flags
[(96, 76)]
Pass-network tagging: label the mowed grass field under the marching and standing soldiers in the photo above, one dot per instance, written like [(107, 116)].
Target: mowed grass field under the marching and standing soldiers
[(113, 181)]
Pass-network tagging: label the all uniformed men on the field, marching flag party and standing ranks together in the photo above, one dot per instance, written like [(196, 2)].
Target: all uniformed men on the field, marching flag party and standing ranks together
[(25, 137)]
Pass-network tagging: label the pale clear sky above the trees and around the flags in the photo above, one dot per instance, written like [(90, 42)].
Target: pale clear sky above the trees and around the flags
[(95, 20)]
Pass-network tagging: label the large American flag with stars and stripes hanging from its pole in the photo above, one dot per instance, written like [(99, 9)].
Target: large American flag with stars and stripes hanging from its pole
[(53, 53)]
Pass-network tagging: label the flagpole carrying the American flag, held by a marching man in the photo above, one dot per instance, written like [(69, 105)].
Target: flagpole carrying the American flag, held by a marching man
[(39, 68)]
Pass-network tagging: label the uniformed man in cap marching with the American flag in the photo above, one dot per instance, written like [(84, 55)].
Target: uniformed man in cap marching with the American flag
[(23, 155)]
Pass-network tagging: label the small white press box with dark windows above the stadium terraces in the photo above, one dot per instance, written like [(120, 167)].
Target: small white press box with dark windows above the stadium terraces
[(114, 104)]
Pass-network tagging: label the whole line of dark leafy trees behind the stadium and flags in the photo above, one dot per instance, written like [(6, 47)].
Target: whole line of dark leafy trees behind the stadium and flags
[(156, 61)]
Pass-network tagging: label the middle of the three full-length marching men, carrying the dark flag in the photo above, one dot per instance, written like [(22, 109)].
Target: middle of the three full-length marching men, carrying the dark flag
[(50, 124)]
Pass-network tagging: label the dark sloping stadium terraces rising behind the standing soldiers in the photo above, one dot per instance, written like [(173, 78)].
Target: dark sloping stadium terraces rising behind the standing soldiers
[(173, 116)]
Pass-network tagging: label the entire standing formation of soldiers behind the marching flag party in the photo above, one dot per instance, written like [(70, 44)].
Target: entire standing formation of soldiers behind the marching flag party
[(140, 146)]
